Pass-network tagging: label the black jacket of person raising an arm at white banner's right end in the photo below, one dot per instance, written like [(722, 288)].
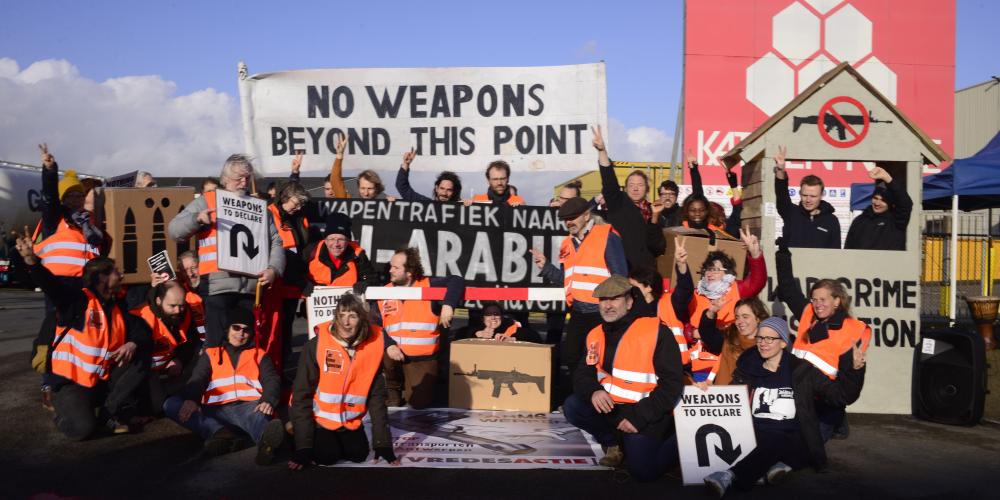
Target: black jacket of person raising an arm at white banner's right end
[(643, 241)]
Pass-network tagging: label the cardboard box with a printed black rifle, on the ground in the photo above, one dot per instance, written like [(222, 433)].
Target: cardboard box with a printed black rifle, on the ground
[(491, 375)]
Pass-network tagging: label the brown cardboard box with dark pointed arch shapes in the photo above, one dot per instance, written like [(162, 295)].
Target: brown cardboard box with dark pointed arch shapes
[(137, 221)]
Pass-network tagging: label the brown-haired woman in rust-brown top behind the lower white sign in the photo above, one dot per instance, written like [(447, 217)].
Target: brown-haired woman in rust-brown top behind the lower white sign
[(730, 342)]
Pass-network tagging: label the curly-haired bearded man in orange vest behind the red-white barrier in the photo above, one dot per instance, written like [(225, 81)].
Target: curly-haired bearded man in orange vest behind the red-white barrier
[(415, 325)]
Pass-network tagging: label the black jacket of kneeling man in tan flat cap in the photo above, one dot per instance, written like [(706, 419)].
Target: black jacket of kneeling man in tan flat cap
[(651, 416)]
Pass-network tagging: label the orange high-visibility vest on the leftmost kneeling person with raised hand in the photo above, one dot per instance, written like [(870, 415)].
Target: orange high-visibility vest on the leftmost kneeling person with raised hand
[(82, 355)]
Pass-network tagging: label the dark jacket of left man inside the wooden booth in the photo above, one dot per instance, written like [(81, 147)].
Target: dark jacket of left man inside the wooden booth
[(803, 229)]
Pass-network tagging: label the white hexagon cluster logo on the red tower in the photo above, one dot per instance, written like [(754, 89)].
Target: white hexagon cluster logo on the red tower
[(773, 81)]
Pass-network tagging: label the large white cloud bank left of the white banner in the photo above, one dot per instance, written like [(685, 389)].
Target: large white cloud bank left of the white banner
[(115, 126)]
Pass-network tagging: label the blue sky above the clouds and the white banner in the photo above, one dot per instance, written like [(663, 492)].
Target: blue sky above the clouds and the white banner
[(193, 46)]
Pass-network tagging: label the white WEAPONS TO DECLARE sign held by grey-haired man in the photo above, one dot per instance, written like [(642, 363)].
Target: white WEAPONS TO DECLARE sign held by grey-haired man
[(242, 239)]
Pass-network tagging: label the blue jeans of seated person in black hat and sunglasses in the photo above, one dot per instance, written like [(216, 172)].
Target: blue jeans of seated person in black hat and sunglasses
[(210, 419)]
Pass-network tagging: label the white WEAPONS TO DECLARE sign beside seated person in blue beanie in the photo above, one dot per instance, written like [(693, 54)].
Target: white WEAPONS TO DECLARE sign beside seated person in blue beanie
[(714, 429)]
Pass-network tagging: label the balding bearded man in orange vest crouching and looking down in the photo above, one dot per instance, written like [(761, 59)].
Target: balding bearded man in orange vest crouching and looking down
[(175, 344)]
